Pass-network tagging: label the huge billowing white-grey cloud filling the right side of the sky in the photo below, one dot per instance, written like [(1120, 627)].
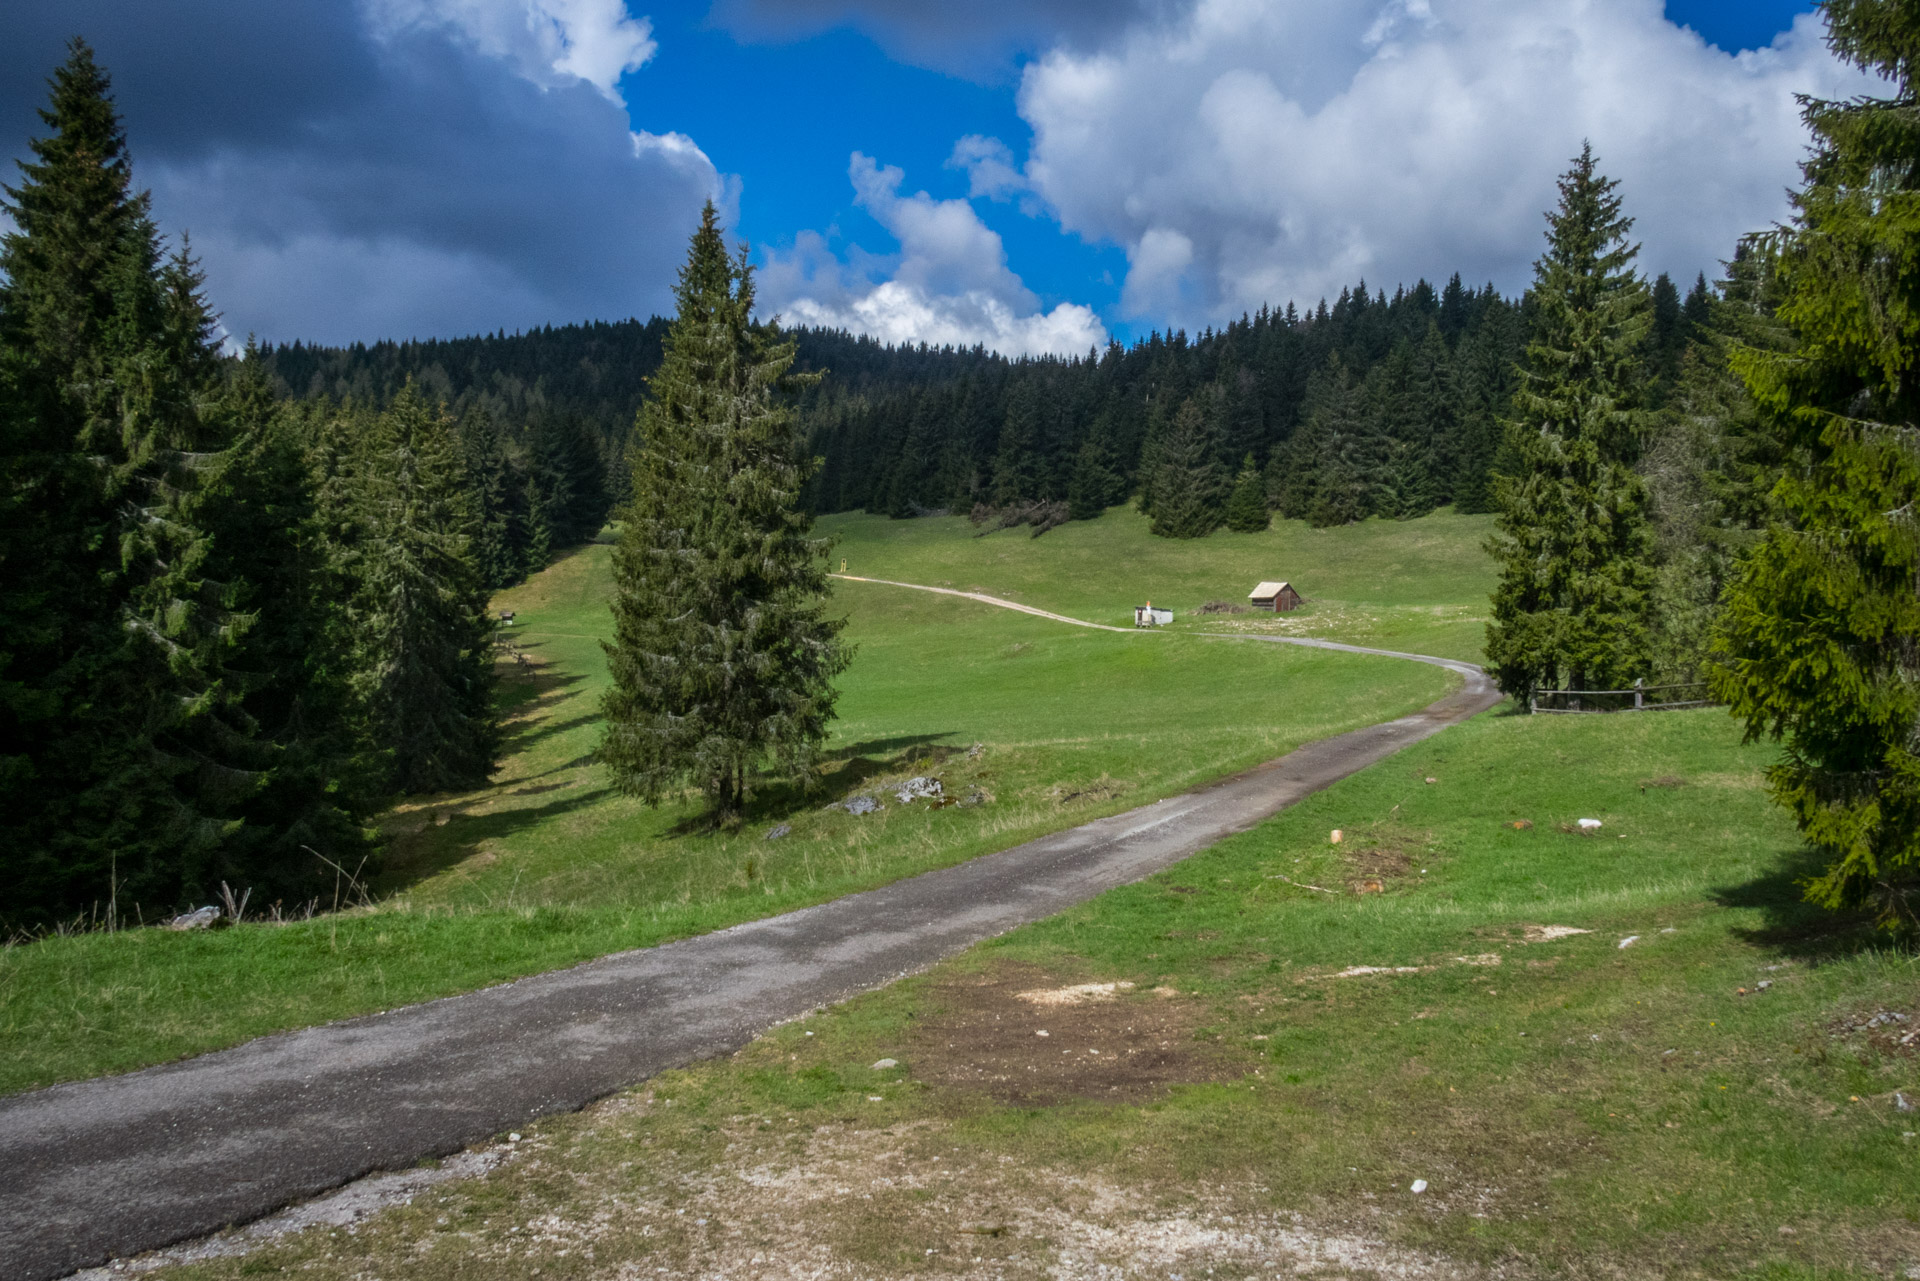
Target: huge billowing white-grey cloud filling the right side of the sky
[(1268, 151)]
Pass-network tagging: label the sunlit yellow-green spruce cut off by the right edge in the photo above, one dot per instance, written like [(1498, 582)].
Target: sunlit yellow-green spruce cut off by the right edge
[(1821, 639)]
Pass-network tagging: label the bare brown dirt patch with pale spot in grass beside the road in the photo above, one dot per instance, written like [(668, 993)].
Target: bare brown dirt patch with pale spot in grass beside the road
[(1017, 1036)]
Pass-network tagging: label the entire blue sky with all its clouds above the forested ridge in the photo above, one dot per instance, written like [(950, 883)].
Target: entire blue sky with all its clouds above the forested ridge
[(408, 168)]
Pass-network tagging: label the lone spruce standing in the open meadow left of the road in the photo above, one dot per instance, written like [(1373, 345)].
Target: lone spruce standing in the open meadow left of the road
[(723, 658)]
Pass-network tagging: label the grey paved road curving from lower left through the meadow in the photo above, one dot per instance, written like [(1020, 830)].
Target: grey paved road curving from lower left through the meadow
[(124, 1165)]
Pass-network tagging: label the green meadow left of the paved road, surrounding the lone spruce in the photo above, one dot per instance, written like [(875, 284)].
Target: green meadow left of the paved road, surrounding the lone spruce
[(548, 867)]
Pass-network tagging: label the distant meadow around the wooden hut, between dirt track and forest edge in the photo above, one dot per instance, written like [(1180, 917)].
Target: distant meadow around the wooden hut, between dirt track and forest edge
[(1399, 585)]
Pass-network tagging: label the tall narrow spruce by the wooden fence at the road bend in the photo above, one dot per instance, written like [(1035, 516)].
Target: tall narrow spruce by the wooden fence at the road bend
[(1573, 543)]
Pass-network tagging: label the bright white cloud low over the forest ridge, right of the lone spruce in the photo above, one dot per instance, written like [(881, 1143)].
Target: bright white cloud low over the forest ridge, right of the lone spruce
[(949, 285)]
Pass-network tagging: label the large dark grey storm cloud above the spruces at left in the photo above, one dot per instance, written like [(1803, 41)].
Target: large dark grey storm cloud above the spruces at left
[(343, 187)]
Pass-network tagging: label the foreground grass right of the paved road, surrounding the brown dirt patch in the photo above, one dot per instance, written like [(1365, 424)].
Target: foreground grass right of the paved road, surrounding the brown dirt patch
[(1579, 1107)]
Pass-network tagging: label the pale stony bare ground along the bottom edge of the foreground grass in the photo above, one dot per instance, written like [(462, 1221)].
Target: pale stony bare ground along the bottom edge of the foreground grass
[(901, 1201)]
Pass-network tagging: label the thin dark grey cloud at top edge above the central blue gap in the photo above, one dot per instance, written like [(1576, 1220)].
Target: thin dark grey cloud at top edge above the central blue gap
[(976, 39)]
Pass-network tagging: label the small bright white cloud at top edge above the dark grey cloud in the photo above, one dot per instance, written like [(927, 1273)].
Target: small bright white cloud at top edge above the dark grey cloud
[(554, 43)]
